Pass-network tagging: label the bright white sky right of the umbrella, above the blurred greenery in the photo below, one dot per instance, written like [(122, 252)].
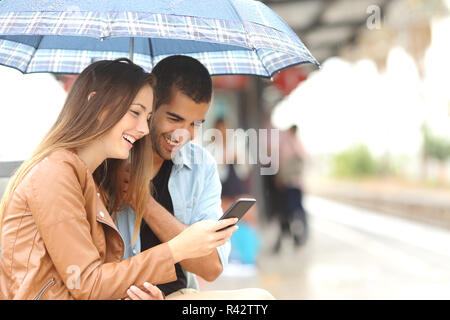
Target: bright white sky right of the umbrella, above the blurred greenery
[(346, 103)]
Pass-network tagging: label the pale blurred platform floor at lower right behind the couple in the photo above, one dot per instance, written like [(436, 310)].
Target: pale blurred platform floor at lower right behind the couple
[(351, 253)]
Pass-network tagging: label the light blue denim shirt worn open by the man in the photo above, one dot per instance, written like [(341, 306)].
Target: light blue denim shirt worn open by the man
[(195, 189)]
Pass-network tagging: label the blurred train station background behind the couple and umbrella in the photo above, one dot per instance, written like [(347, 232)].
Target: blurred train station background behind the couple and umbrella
[(360, 205)]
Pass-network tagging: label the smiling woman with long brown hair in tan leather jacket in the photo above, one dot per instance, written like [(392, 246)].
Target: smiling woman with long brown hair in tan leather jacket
[(58, 240)]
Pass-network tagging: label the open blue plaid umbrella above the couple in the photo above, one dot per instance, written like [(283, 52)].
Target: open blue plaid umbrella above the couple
[(227, 36)]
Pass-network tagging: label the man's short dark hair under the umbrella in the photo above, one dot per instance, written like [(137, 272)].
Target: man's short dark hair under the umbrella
[(184, 73)]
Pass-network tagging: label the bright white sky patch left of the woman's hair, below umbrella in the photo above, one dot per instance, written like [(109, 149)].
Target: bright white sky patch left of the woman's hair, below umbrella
[(29, 106)]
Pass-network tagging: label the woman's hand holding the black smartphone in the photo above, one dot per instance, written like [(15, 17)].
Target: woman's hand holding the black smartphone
[(201, 238)]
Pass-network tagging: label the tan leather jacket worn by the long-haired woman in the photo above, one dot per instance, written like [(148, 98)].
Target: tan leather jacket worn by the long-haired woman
[(59, 242)]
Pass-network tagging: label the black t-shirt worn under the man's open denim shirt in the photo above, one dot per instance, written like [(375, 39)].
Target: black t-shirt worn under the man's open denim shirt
[(148, 238)]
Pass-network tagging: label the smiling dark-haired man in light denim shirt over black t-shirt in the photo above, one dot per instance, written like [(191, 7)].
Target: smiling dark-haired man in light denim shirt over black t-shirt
[(185, 180)]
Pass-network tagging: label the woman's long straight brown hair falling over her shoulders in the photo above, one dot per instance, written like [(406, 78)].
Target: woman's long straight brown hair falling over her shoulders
[(116, 84)]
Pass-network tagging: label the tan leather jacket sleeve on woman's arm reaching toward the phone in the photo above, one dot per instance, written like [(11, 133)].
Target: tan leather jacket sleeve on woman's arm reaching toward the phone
[(57, 204)]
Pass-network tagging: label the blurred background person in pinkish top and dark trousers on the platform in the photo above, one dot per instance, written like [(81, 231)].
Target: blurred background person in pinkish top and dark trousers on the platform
[(291, 213)]
